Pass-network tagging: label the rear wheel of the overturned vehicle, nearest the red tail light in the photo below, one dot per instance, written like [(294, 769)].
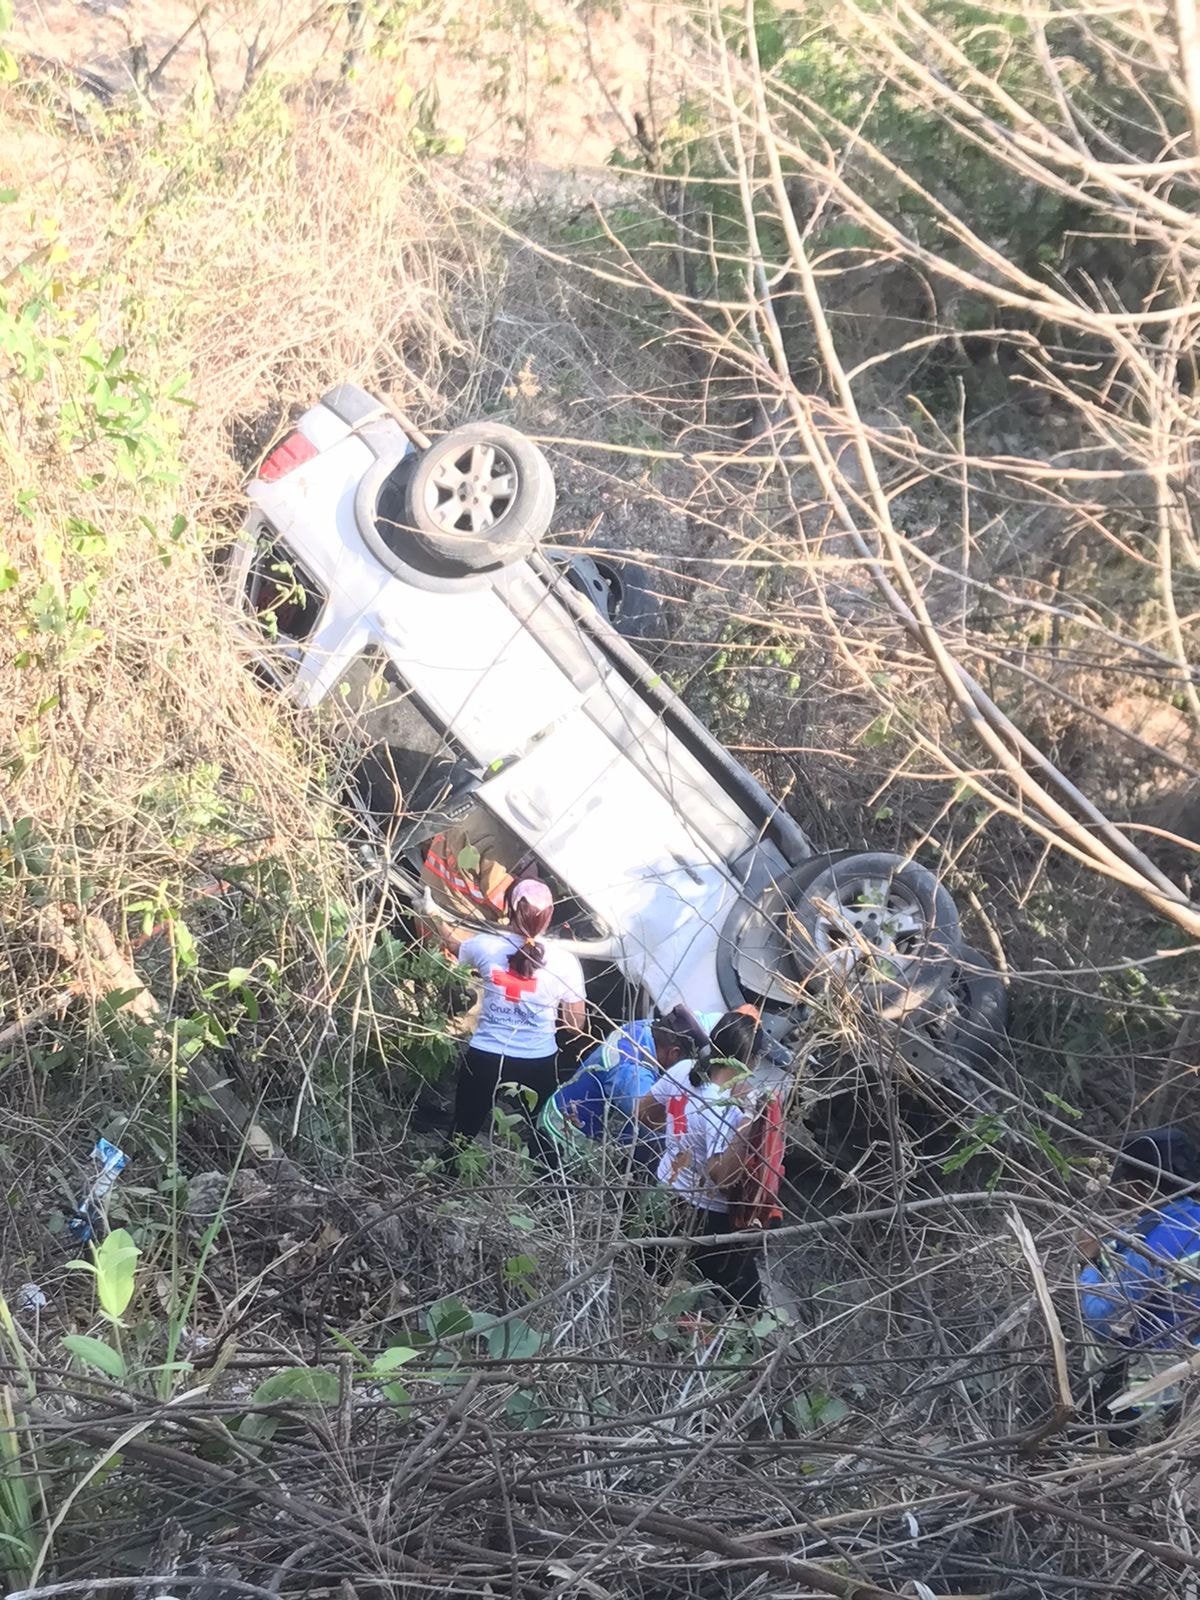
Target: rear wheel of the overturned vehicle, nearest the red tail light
[(479, 498)]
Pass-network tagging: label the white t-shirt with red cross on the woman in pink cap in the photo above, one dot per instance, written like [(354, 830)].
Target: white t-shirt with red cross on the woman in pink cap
[(519, 1017)]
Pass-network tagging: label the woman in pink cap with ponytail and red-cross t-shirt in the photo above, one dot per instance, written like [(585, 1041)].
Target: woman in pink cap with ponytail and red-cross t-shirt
[(530, 985)]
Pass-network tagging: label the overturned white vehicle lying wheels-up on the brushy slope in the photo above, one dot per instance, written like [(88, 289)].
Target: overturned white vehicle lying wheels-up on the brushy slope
[(519, 692)]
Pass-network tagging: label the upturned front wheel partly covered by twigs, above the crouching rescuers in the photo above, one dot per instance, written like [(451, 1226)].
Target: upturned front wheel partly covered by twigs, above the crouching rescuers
[(898, 954)]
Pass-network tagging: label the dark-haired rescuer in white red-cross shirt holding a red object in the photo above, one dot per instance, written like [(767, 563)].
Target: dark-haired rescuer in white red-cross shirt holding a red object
[(705, 1143)]
